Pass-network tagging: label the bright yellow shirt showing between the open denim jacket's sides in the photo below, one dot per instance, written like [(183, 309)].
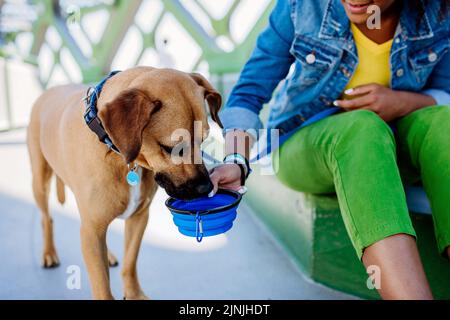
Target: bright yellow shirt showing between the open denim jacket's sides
[(373, 66)]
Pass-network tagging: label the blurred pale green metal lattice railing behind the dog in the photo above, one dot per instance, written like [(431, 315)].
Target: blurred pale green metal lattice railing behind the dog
[(59, 15)]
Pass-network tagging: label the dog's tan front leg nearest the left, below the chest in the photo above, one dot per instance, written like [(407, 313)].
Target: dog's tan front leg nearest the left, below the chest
[(95, 253)]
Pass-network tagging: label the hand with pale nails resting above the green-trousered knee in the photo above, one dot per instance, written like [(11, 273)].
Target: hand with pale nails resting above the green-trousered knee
[(387, 103)]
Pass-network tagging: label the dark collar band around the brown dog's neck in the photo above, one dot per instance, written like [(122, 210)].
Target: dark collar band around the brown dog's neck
[(91, 115)]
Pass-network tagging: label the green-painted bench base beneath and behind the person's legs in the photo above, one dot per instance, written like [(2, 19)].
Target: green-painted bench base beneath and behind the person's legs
[(311, 229)]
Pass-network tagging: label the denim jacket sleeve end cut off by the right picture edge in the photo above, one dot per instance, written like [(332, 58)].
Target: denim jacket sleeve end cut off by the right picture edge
[(438, 84)]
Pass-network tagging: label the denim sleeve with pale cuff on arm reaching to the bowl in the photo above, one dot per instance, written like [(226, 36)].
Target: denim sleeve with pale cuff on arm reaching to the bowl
[(268, 65)]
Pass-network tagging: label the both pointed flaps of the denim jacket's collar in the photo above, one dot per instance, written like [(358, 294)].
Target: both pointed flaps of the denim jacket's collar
[(335, 24)]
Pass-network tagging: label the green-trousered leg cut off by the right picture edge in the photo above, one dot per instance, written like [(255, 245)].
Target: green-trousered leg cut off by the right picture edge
[(424, 144)]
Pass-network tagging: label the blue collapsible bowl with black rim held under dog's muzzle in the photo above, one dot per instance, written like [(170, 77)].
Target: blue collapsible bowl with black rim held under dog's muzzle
[(205, 217)]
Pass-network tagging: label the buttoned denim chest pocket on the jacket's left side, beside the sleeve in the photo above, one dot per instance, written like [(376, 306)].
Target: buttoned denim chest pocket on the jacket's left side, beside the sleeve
[(314, 58)]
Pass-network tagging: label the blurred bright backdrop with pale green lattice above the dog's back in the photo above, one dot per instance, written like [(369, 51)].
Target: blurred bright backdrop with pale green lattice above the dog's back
[(46, 43)]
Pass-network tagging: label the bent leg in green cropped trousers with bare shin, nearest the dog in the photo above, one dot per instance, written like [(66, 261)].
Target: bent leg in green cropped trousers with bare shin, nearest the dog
[(354, 153)]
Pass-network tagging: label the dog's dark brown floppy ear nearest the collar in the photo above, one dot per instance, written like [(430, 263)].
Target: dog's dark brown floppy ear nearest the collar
[(125, 119)]
